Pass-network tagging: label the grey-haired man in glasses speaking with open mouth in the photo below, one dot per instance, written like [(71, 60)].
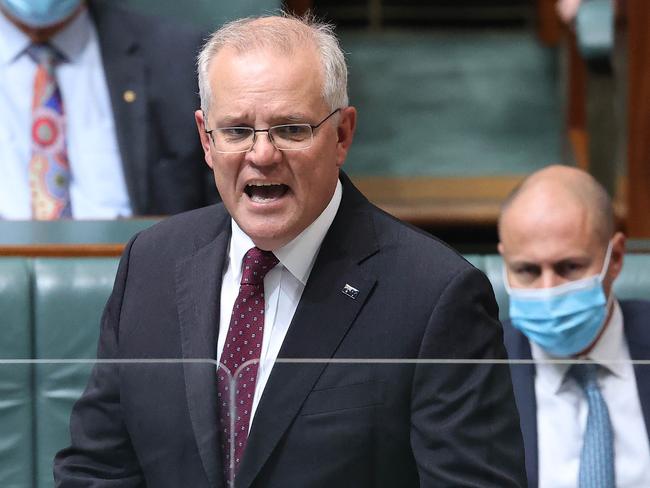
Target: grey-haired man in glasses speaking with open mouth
[(340, 306)]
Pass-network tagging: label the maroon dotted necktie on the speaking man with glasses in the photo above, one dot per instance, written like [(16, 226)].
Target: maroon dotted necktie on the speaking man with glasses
[(243, 344)]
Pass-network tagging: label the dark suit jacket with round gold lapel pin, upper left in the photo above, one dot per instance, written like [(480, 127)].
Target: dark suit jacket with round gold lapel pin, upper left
[(160, 148)]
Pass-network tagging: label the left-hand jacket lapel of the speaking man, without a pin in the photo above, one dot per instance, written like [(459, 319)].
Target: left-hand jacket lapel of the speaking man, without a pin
[(198, 281)]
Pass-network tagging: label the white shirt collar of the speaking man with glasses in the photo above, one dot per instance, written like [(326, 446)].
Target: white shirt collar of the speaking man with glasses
[(297, 256)]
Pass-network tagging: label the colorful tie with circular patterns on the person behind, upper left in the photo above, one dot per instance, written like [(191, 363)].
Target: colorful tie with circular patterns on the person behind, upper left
[(49, 170)]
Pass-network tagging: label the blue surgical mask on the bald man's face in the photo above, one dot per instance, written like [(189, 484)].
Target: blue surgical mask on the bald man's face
[(563, 320)]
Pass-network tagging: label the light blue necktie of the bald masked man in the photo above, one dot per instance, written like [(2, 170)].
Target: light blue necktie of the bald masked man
[(597, 456)]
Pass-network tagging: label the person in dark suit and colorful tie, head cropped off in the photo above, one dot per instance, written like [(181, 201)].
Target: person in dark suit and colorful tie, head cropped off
[(145, 154)]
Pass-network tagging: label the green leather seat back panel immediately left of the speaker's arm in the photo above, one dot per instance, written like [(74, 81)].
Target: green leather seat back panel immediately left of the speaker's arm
[(69, 296)]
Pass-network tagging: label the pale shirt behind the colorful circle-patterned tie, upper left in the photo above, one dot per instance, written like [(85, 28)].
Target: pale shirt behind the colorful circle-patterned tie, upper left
[(98, 189)]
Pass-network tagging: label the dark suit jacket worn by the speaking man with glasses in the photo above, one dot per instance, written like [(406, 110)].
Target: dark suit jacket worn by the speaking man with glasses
[(317, 424)]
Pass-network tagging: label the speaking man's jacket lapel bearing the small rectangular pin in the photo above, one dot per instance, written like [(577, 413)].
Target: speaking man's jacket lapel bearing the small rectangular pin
[(320, 323)]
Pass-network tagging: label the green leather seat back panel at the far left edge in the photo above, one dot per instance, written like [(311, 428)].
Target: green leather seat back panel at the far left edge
[(16, 432)]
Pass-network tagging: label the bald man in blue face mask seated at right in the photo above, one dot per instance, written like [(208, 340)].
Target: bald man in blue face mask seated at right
[(562, 256)]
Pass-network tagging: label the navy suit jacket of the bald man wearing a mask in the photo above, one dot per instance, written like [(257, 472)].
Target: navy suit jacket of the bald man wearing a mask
[(635, 325)]
